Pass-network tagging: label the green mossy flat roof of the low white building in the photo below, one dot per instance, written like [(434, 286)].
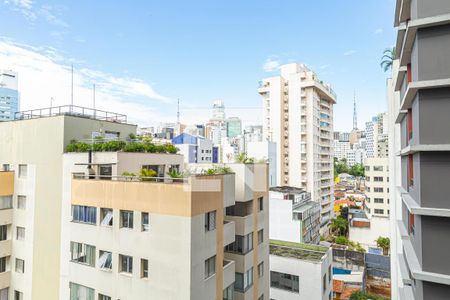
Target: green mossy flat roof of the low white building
[(308, 252)]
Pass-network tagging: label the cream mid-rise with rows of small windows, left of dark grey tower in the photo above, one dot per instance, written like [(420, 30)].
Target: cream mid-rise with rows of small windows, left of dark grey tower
[(377, 186)]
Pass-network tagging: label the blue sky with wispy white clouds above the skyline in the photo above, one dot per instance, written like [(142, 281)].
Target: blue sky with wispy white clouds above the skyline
[(199, 51)]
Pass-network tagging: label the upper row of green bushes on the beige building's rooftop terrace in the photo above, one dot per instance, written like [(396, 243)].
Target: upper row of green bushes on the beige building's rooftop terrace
[(141, 145)]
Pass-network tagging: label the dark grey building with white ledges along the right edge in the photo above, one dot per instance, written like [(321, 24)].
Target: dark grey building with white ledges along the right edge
[(419, 107)]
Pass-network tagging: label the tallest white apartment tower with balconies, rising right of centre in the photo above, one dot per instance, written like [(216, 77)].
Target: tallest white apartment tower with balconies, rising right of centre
[(298, 117)]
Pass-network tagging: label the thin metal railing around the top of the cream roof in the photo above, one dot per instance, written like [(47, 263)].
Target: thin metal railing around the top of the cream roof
[(71, 110)]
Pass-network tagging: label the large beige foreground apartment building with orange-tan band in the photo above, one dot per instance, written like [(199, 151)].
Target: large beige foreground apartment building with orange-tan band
[(77, 229)]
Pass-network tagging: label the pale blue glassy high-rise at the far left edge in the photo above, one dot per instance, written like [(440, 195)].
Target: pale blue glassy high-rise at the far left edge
[(9, 95)]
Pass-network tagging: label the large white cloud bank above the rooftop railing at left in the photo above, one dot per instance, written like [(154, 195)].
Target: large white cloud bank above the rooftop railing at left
[(45, 74)]
